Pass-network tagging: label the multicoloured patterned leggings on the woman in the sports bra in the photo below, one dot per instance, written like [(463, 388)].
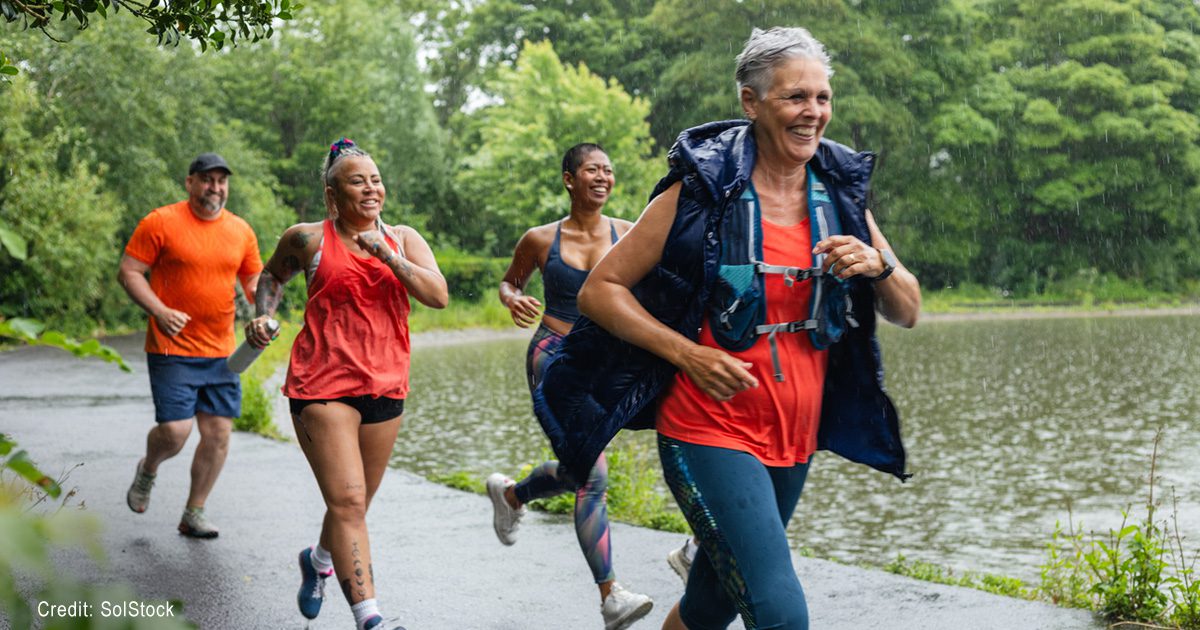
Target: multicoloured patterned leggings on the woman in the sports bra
[(550, 479)]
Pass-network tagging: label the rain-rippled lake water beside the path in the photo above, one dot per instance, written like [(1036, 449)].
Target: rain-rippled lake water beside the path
[(1007, 424)]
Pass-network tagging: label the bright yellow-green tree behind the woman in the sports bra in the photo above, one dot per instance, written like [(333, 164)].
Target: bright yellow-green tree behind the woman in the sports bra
[(514, 177)]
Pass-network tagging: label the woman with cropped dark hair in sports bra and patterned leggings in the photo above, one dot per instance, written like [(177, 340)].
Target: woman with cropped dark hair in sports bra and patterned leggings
[(565, 253)]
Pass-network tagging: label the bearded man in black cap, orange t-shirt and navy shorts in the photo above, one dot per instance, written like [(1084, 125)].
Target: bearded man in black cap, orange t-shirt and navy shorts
[(194, 251)]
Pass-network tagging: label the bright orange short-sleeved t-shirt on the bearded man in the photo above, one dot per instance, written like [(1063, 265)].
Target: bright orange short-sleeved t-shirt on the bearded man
[(194, 267)]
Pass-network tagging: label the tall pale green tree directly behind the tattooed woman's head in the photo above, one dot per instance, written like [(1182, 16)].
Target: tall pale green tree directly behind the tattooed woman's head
[(344, 69)]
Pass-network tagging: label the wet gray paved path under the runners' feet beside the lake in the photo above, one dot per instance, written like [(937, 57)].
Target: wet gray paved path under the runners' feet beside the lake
[(437, 563)]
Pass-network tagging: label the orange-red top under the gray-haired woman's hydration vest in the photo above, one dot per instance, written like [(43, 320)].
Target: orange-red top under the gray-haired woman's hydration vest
[(776, 422)]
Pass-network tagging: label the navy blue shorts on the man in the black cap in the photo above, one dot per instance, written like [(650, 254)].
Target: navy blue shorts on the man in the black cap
[(184, 386)]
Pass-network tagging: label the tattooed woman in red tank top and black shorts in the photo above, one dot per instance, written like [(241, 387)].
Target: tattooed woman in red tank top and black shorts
[(349, 376)]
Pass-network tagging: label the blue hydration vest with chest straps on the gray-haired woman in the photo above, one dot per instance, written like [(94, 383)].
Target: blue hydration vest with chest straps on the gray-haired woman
[(737, 311)]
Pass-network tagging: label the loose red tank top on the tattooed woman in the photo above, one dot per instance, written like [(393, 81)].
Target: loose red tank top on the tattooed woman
[(355, 340)]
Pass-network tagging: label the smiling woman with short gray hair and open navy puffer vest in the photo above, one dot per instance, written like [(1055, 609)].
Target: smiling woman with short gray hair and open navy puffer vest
[(745, 303)]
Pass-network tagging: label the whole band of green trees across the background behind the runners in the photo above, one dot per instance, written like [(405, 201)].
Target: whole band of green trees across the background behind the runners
[(1025, 146)]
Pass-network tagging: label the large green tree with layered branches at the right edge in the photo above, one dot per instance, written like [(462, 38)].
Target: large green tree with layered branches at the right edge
[(1081, 145)]
